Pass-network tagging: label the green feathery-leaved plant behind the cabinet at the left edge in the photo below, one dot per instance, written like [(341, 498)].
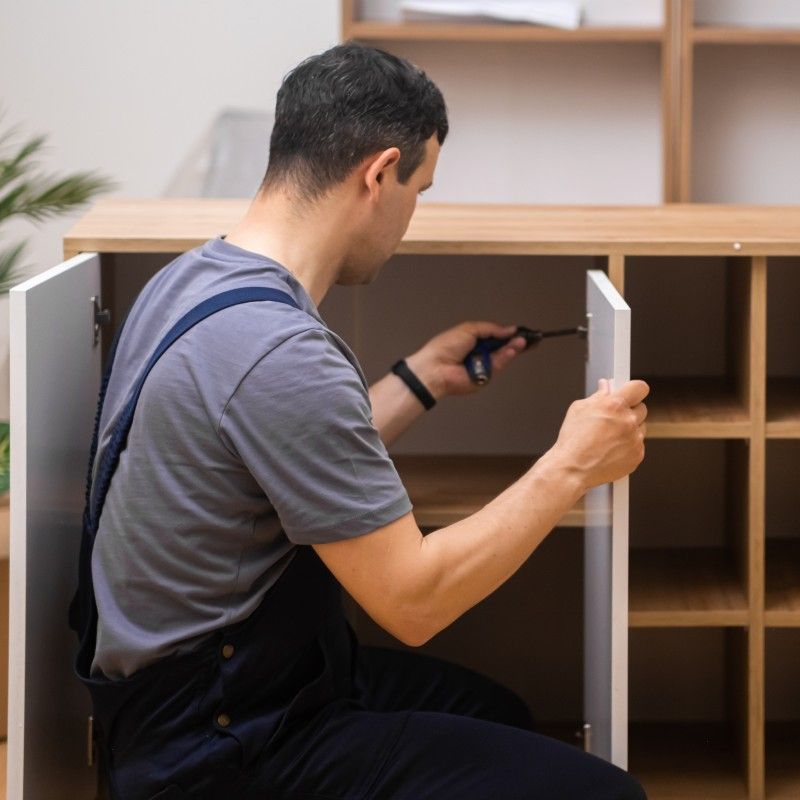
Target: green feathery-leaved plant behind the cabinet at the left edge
[(26, 192)]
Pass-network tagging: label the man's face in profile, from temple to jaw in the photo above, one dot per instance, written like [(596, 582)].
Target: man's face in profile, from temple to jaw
[(389, 221)]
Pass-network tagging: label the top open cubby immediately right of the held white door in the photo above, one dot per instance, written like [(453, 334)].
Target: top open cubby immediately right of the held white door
[(691, 341)]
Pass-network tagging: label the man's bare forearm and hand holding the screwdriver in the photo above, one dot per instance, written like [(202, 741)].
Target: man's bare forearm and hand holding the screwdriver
[(438, 364)]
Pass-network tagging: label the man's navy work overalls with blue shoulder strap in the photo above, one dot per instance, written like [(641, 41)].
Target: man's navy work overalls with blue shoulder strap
[(285, 705)]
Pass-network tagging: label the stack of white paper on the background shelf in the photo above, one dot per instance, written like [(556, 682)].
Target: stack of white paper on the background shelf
[(555, 13)]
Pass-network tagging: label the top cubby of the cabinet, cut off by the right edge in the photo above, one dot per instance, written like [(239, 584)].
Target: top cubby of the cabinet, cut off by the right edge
[(783, 349)]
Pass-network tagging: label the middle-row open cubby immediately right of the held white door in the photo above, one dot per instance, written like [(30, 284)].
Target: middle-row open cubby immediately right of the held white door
[(688, 558)]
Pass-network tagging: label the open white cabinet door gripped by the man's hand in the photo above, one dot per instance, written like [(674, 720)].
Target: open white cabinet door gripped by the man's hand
[(606, 543)]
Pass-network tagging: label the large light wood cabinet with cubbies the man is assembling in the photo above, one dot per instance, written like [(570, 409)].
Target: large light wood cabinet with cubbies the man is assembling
[(713, 581)]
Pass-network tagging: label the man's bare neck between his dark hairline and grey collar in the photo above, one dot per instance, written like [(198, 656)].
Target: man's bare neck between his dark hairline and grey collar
[(307, 239)]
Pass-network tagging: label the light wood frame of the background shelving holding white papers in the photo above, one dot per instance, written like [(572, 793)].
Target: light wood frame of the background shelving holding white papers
[(686, 26)]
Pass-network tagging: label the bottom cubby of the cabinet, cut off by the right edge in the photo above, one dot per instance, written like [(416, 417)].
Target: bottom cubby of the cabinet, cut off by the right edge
[(782, 714)]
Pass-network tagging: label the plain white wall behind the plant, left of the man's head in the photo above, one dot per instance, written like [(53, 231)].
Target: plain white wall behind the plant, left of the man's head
[(129, 87)]
